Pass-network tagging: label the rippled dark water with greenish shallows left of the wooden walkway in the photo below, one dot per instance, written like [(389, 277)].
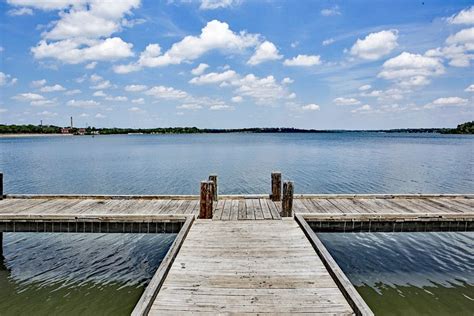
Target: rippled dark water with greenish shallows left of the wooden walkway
[(77, 274)]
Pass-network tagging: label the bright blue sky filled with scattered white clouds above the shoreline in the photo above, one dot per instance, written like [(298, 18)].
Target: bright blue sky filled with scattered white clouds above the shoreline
[(237, 63)]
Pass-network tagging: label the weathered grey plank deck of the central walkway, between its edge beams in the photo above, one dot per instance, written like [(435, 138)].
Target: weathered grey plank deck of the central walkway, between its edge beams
[(248, 267)]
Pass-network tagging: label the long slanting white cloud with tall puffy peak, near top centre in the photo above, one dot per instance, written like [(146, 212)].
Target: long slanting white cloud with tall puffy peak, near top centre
[(215, 35)]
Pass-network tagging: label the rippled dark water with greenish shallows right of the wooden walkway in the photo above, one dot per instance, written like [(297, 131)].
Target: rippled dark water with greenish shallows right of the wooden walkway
[(408, 273)]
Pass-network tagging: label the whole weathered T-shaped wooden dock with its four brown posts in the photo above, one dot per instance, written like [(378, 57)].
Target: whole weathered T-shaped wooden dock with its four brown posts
[(244, 254)]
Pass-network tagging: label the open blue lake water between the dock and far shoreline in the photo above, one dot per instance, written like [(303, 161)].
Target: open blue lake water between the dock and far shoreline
[(175, 164)]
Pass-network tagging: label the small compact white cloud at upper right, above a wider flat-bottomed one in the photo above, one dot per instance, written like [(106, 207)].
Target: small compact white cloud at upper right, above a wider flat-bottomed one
[(375, 45)]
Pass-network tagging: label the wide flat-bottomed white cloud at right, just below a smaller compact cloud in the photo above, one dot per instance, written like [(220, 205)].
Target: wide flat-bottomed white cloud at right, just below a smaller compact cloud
[(409, 69)]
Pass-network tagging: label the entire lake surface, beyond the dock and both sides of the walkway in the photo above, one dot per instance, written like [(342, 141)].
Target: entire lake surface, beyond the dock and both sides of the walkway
[(55, 272)]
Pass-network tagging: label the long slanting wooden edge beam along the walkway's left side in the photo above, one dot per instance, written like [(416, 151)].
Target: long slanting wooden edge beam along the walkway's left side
[(146, 300)]
